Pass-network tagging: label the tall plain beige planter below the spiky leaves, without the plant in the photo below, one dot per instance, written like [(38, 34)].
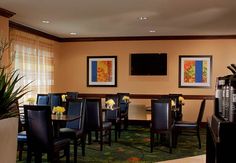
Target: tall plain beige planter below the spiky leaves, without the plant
[(8, 140)]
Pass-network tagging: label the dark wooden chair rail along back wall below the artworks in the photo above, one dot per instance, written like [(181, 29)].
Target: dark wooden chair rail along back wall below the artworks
[(149, 96)]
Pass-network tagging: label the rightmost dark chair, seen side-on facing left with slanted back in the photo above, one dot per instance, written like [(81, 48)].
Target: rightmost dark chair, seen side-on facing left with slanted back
[(190, 128)]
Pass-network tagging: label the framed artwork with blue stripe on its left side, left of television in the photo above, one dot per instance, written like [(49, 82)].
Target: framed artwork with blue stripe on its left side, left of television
[(102, 71)]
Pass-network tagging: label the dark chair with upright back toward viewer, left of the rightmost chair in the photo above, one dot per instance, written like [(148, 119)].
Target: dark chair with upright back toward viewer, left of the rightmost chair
[(161, 120)]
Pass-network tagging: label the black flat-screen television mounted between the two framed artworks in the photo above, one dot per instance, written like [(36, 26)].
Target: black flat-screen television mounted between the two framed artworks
[(148, 64)]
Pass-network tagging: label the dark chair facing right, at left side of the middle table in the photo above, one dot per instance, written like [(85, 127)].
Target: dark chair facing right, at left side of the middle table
[(94, 121)]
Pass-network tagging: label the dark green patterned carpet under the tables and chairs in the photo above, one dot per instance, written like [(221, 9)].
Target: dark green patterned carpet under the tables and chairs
[(134, 146)]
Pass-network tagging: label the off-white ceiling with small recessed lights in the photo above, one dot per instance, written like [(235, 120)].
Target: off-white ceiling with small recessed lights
[(120, 18)]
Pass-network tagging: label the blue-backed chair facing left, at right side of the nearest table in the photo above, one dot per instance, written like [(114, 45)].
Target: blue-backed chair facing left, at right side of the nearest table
[(75, 129)]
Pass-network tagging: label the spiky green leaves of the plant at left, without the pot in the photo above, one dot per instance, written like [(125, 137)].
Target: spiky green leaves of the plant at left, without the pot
[(9, 94)]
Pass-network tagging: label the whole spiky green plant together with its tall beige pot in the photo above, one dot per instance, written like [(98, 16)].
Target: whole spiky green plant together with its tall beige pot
[(9, 96)]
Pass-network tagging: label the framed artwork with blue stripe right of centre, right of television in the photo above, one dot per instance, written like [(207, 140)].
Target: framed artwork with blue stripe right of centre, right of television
[(195, 71)]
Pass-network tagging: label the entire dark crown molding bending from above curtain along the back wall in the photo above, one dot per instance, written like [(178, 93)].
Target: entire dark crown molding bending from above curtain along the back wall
[(131, 38)]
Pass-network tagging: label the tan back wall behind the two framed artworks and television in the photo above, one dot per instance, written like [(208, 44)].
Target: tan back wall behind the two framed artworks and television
[(71, 75)]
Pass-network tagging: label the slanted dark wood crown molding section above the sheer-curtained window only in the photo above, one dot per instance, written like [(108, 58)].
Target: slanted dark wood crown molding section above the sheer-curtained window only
[(33, 31)]
